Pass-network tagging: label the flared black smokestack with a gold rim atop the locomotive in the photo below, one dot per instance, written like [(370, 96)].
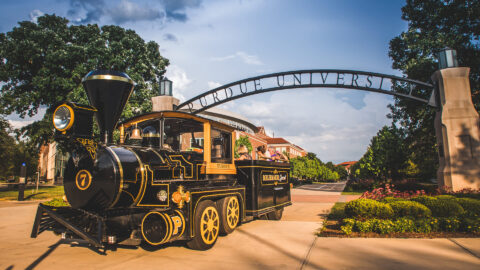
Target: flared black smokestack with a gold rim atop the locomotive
[(108, 91)]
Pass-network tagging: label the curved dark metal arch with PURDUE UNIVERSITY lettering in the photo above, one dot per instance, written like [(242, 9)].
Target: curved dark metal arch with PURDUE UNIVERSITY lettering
[(315, 78)]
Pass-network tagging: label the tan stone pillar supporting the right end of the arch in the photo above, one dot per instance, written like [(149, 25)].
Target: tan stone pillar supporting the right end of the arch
[(457, 127)]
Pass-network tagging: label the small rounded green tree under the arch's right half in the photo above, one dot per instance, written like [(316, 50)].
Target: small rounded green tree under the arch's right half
[(385, 158)]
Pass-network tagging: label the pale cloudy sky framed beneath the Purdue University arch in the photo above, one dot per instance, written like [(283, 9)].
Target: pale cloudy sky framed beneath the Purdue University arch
[(320, 122)]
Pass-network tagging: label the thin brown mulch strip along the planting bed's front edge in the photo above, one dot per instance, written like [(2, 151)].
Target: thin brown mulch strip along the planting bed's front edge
[(332, 229)]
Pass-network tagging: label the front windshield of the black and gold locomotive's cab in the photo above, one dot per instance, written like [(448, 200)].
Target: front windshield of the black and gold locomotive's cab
[(182, 135)]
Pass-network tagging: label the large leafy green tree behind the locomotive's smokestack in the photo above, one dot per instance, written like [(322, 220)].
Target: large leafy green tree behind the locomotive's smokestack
[(43, 63)]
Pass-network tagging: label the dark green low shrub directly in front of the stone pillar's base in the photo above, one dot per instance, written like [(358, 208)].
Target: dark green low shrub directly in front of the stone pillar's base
[(440, 207)]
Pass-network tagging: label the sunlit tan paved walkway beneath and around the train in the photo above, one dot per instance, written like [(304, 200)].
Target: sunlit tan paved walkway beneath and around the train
[(261, 244)]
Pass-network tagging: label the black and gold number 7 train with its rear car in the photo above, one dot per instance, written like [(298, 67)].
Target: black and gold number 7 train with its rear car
[(171, 177)]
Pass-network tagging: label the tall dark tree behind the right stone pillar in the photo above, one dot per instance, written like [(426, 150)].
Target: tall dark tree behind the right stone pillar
[(432, 26)]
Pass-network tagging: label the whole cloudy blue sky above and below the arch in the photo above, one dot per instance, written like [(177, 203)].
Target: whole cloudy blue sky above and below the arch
[(211, 43)]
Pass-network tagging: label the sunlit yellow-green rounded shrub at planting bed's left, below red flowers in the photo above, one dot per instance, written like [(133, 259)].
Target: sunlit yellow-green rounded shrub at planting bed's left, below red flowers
[(366, 208)]
